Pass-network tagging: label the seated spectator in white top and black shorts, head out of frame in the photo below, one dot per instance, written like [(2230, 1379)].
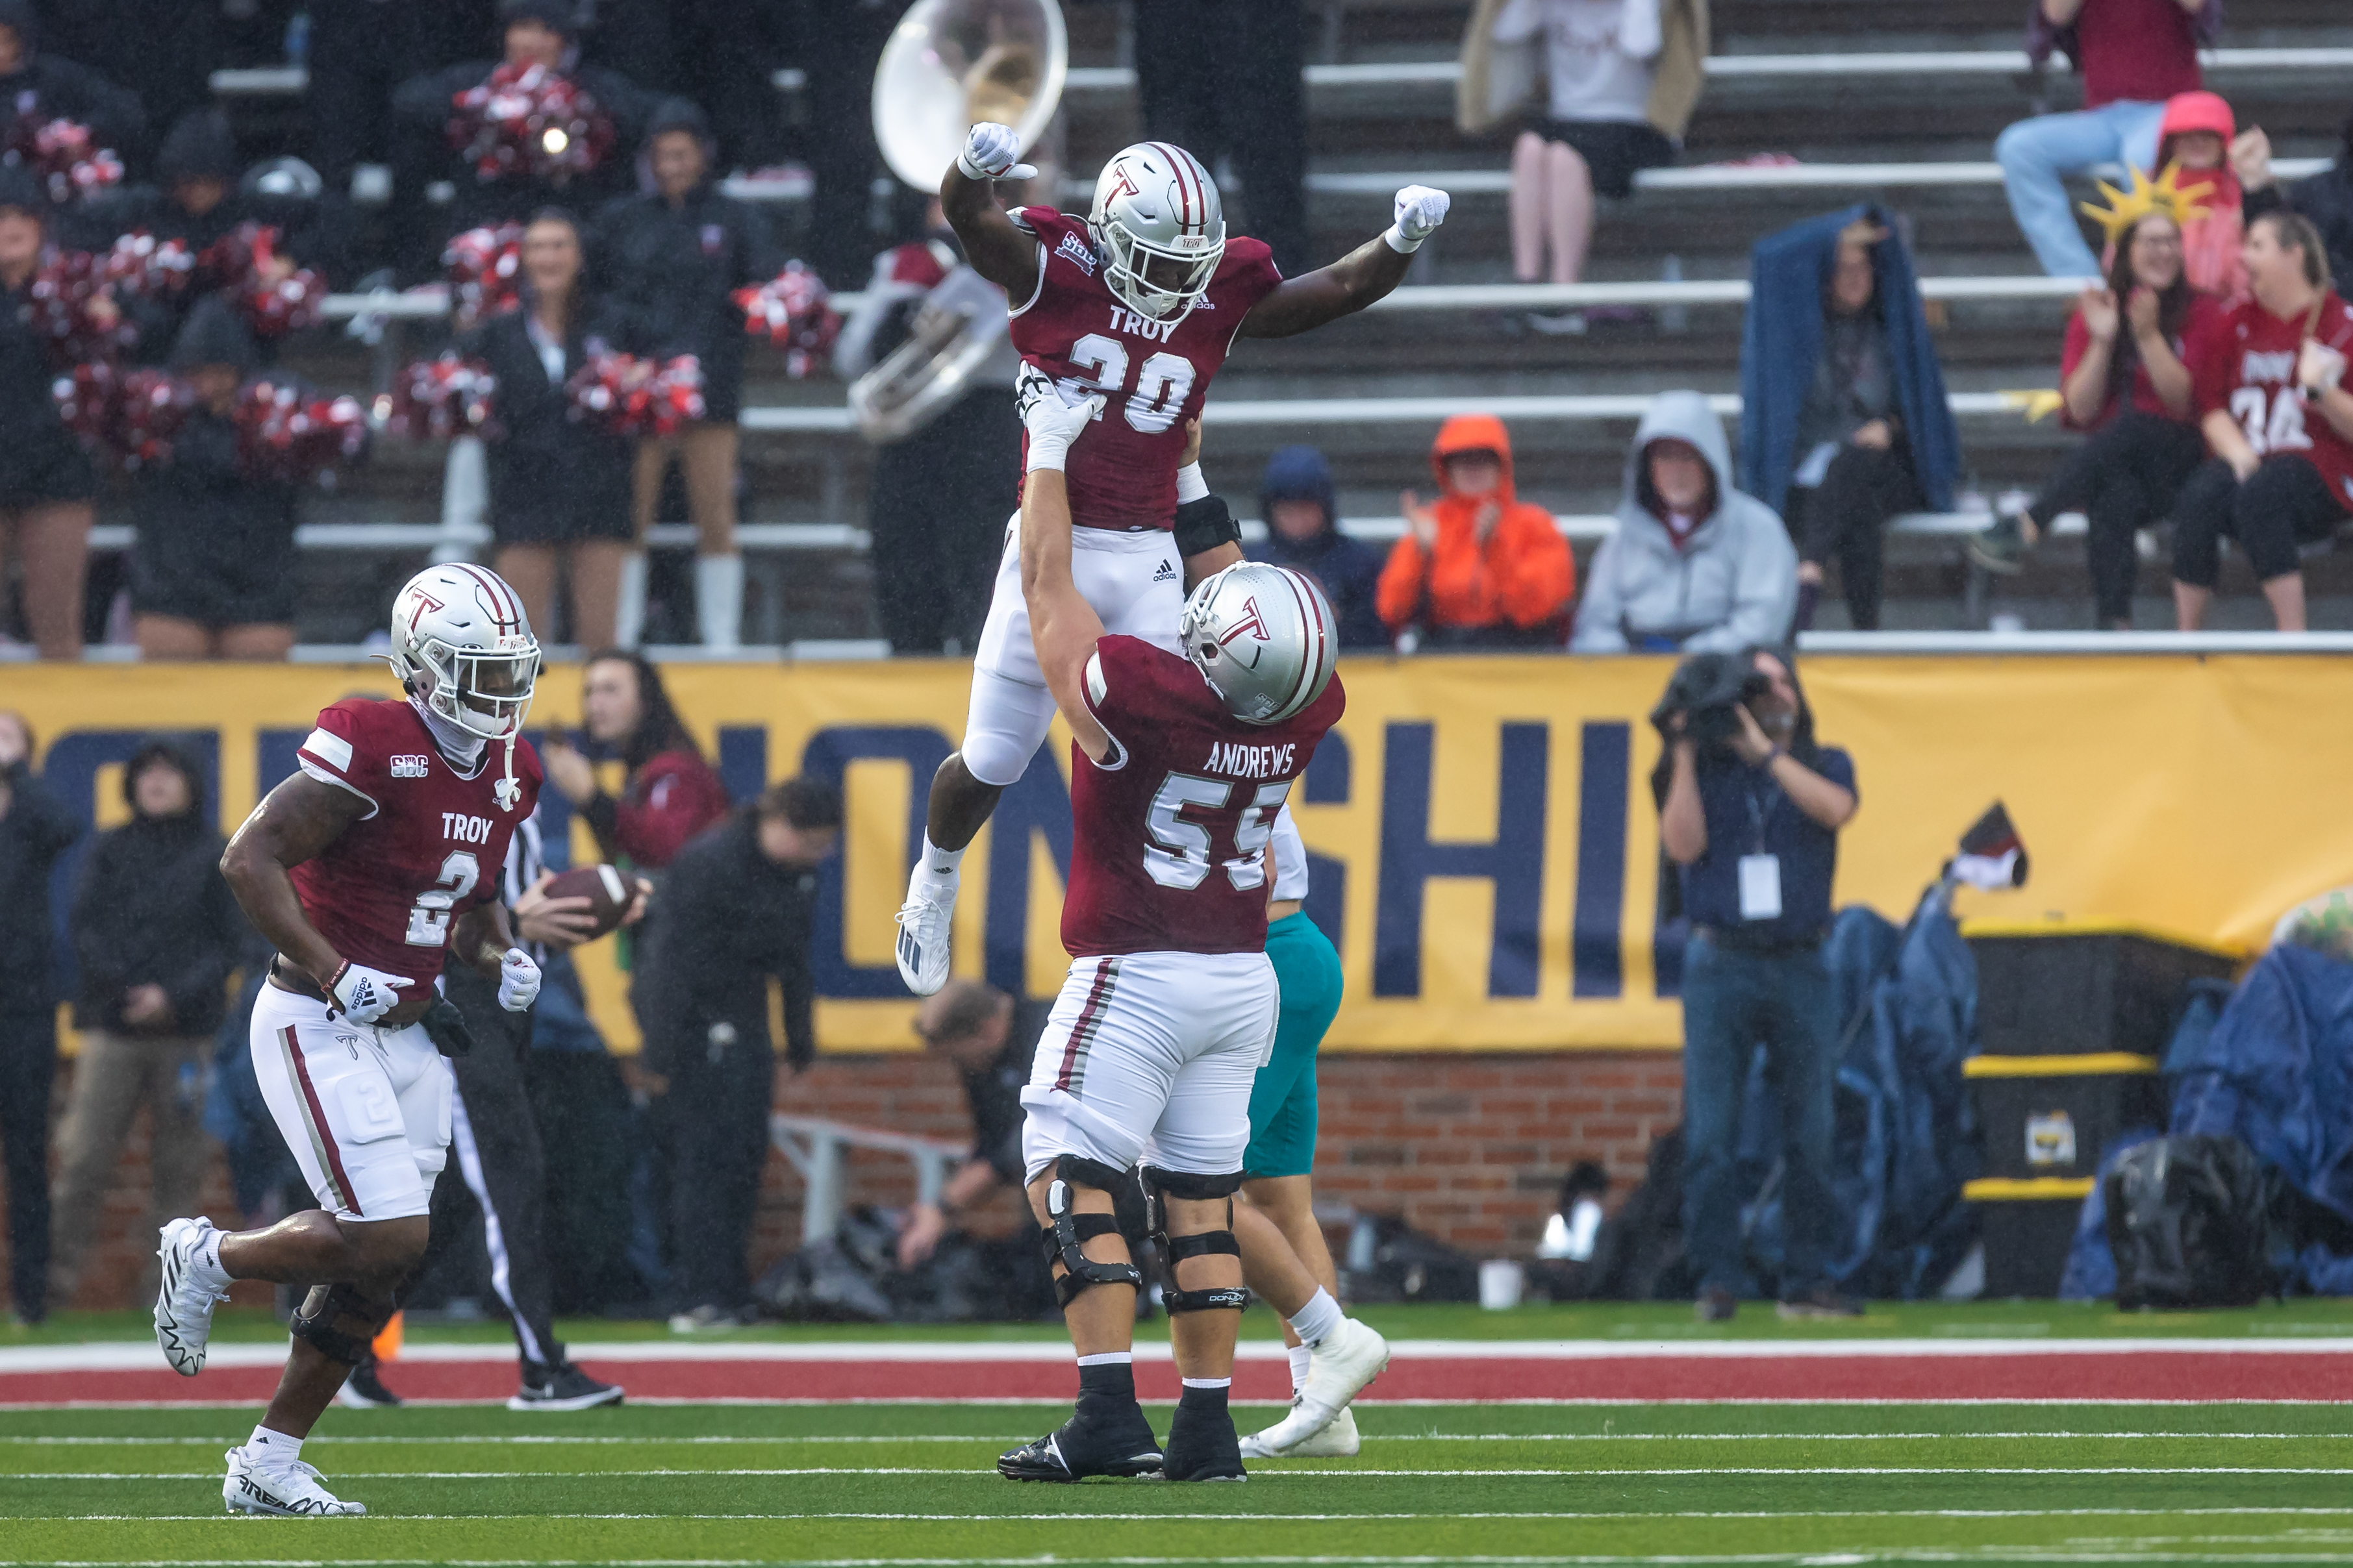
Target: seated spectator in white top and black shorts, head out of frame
[(1620, 83)]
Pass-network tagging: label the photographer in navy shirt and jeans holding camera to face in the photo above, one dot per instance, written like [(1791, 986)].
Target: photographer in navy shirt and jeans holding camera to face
[(1752, 812)]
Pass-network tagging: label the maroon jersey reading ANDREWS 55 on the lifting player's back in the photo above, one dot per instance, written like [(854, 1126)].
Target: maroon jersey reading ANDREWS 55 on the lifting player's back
[(1171, 833)]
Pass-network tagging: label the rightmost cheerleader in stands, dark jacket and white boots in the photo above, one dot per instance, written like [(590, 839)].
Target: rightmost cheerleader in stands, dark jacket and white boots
[(679, 253)]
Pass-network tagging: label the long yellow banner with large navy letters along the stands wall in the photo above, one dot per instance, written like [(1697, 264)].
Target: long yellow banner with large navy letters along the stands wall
[(1484, 829)]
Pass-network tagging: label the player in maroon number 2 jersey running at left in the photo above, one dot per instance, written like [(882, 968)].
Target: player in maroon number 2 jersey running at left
[(366, 871)]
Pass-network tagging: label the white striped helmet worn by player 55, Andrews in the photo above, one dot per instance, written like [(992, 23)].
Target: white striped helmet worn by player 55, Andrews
[(1262, 638)]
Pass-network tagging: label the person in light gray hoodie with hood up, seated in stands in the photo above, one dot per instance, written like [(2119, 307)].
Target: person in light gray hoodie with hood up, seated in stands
[(1695, 565)]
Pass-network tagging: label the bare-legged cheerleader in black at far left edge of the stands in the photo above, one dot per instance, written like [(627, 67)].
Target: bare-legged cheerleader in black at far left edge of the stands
[(46, 478)]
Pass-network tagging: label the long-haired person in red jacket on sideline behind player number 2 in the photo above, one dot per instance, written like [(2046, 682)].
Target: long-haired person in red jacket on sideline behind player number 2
[(669, 791)]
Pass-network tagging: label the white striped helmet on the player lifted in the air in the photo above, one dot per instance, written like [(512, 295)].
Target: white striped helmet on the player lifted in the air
[(1161, 229)]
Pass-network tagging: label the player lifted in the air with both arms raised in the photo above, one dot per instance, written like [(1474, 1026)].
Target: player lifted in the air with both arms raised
[(1138, 304)]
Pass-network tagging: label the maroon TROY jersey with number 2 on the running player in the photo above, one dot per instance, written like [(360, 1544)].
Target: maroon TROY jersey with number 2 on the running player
[(429, 850)]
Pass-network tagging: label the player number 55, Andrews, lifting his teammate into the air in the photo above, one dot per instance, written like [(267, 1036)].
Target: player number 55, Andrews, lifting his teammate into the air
[(1178, 772)]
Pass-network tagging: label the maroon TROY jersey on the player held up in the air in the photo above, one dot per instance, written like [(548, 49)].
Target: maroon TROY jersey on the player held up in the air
[(1154, 375)]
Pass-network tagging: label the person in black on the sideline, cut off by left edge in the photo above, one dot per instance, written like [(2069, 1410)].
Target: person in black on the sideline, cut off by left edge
[(34, 833)]
